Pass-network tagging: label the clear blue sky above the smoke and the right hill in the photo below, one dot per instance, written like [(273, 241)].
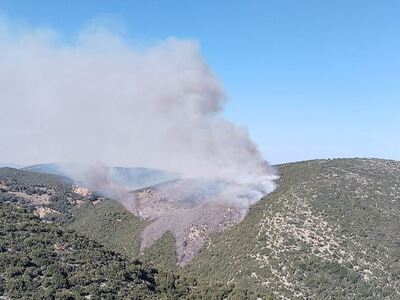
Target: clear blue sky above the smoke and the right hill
[(309, 79)]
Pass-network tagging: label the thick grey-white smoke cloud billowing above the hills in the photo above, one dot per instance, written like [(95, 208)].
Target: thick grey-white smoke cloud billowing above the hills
[(100, 99)]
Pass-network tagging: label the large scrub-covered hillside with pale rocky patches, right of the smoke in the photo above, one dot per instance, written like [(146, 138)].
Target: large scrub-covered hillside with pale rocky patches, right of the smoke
[(330, 230)]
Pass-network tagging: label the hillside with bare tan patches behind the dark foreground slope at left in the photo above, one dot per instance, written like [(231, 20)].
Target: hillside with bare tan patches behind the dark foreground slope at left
[(58, 199)]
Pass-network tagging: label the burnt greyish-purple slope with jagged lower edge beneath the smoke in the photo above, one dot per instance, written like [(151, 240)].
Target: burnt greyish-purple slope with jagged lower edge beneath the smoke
[(190, 209)]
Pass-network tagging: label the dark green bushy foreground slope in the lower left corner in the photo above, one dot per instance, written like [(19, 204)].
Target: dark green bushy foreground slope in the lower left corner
[(40, 260)]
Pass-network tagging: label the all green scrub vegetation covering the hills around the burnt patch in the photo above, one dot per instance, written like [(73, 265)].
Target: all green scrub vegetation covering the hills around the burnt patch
[(329, 231)]
